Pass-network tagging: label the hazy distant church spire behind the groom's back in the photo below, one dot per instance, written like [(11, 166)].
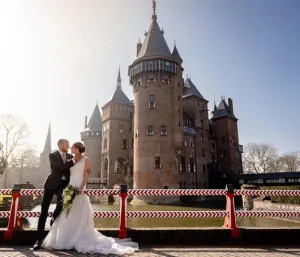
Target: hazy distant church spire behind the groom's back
[(44, 157)]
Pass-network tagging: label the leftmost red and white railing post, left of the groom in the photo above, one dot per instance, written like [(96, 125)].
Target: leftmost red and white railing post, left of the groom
[(13, 218)]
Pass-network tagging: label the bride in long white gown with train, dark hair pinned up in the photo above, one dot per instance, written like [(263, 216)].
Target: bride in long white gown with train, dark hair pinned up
[(76, 230)]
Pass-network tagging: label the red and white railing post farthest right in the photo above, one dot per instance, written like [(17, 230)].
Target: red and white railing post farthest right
[(230, 221)]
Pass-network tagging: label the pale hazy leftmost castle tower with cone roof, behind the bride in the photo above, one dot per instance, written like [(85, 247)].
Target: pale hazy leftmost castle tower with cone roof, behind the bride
[(92, 138)]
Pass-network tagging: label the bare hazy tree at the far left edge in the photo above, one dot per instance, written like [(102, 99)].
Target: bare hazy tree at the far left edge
[(14, 132)]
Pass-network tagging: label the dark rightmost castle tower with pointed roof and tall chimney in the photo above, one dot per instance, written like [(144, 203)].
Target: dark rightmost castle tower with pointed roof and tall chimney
[(227, 139)]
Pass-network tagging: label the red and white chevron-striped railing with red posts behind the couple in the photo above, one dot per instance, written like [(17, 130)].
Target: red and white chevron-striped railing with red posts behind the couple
[(15, 215)]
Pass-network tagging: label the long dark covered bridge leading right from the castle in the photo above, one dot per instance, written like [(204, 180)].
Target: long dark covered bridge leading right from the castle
[(271, 179)]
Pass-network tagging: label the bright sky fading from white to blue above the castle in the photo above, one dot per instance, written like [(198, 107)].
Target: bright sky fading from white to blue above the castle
[(58, 58)]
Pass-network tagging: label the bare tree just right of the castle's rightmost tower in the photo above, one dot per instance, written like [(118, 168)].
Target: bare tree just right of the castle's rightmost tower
[(259, 158)]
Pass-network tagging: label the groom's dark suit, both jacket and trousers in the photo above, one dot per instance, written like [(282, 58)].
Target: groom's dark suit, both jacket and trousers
[(55, 183)]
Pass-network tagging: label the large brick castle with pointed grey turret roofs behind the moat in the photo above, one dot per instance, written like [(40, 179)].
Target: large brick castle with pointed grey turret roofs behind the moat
[(165, 137)]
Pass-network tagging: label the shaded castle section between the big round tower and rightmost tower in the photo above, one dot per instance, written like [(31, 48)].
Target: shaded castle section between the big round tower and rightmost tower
[(196, 135)]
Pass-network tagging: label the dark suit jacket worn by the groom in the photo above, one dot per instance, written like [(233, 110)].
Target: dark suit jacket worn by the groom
[(58, 170)]
